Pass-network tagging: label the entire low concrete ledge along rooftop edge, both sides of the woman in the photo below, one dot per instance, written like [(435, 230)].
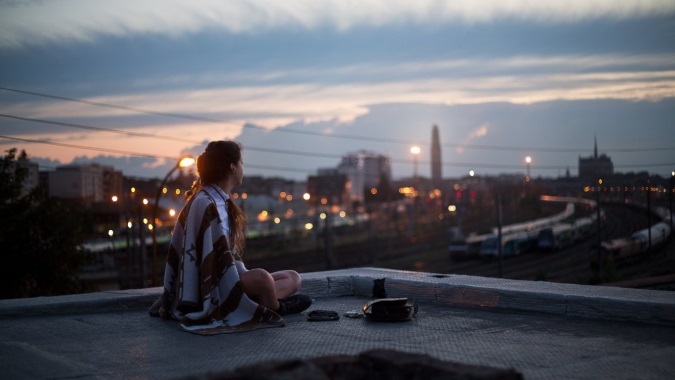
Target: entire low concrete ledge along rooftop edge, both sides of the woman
[(595, 302)]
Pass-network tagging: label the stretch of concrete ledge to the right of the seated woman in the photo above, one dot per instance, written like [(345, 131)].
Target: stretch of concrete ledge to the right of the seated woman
[(594, 302)]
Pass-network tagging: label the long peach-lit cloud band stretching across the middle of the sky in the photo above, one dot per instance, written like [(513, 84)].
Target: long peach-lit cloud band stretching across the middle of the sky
[(522, 79)]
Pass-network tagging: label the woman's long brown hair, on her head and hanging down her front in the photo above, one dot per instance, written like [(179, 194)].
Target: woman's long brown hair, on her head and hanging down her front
[(213, 166)]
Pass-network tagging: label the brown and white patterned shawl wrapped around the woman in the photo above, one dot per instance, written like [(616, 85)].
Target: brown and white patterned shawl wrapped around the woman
[(202, 289)]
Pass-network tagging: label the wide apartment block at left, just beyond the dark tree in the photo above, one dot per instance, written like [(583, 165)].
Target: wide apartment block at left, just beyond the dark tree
[(89, 183)]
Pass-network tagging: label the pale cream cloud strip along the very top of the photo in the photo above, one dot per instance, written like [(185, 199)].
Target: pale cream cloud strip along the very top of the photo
[(30, 22)]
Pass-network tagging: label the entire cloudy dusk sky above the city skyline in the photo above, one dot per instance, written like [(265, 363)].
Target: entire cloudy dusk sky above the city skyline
[(300, 83)]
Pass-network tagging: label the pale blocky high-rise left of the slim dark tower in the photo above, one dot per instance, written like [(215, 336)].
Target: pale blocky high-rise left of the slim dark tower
[(363, 171)]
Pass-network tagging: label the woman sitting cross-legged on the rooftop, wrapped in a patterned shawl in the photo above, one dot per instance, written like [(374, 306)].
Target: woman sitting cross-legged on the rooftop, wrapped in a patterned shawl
[(206, 285)]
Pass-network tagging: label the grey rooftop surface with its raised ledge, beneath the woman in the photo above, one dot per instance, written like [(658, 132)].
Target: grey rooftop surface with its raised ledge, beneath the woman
[(542, 330)]
